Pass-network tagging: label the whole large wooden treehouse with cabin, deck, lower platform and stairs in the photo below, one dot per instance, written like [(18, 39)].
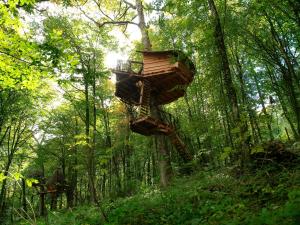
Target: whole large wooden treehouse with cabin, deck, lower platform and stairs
[(161, 78)]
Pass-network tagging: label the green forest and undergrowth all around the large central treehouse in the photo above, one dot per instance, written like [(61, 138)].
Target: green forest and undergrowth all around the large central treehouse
[(65, 141)]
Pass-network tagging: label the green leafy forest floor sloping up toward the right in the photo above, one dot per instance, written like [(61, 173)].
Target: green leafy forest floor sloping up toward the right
[(264, 194)]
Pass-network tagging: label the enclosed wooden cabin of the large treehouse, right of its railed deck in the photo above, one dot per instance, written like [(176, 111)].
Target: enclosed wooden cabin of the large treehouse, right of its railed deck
[(169, 72)]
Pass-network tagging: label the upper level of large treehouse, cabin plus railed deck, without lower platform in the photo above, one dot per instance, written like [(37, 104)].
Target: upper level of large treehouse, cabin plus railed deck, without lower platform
[(168, 72)]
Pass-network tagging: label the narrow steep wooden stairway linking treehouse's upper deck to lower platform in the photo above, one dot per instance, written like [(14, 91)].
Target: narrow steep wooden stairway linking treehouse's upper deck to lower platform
[(145, 99)]
